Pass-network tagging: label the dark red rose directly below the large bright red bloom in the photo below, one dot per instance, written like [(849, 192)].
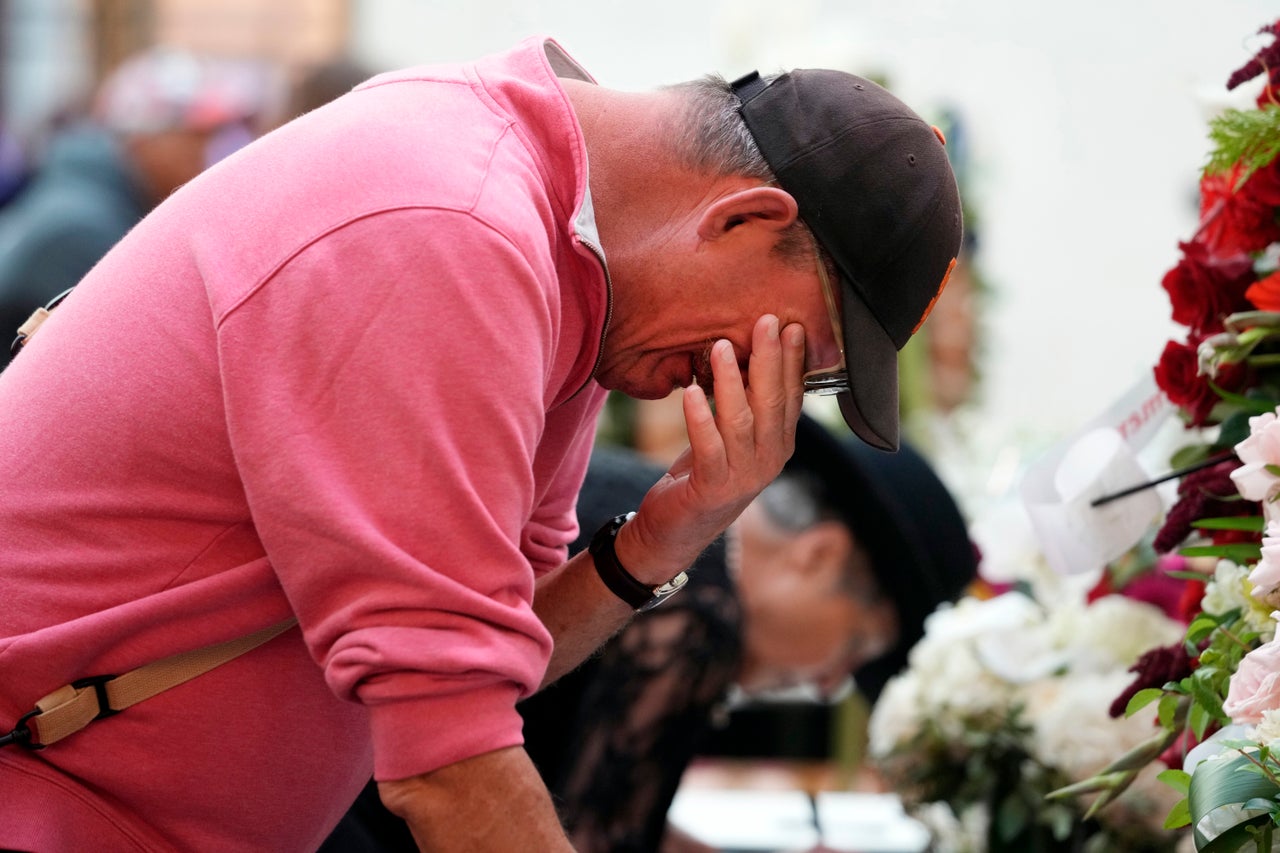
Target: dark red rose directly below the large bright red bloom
[(1204, 289)]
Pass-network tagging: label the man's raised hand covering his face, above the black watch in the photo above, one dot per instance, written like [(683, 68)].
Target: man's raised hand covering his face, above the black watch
[(734, 453)]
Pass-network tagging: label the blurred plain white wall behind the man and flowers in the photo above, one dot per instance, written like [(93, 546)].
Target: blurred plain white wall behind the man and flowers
[(1086, 124)]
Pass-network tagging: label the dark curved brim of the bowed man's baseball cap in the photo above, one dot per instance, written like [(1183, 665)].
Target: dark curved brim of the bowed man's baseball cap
[(871, 361)]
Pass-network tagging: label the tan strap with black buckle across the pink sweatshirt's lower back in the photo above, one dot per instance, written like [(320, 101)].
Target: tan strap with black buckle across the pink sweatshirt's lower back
[(74, 706)]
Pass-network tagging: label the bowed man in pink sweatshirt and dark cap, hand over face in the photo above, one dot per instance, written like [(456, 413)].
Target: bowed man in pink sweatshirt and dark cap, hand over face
[(351, 375)]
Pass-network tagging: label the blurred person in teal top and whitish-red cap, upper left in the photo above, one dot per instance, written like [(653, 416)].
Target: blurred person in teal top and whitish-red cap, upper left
[(158, 121)]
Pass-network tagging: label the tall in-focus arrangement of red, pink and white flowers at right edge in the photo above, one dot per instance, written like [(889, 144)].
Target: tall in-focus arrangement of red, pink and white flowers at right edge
[(1217, 692)]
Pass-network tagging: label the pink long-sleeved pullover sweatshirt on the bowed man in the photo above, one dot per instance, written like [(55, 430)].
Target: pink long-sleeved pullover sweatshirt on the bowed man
[(345, 375)]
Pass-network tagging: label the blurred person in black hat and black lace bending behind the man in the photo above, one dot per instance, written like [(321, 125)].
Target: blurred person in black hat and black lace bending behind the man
[(829, 574)]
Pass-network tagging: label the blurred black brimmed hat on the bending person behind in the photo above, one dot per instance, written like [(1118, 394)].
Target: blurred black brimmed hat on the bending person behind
[(907, 519)]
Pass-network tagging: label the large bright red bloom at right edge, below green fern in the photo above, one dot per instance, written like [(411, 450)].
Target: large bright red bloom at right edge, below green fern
[(1244, 220)]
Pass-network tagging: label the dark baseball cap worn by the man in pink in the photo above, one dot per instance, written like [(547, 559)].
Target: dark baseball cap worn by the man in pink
[(875, 186)]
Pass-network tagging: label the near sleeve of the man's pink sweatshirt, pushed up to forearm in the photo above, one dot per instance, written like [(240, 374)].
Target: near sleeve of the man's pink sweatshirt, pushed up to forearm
[(386, 393)]
